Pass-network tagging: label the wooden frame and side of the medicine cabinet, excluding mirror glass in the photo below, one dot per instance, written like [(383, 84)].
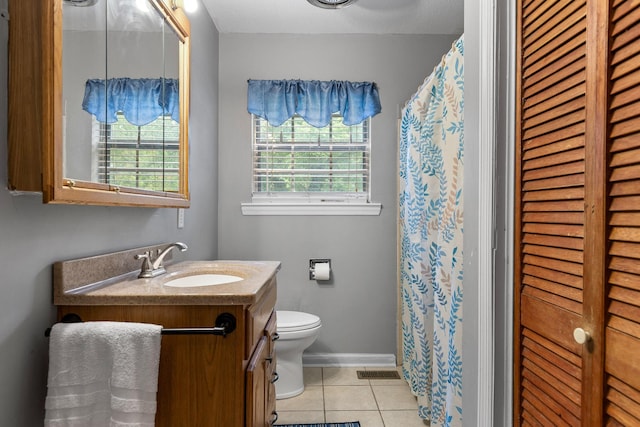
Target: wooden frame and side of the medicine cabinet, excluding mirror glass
[(35, 128)]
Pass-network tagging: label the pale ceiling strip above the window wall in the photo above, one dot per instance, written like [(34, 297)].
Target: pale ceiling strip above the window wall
[(362, 17)]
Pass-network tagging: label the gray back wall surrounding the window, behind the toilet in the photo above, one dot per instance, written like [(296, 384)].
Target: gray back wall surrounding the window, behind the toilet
[(358, 309)]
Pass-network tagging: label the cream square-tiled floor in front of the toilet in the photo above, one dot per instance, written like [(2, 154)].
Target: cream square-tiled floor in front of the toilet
[(337, 395)]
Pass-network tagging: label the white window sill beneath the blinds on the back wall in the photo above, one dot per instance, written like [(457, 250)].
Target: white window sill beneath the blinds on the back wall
[(368, 209)]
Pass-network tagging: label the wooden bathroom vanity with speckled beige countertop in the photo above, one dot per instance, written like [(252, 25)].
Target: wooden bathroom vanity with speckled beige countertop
[(204, 379)]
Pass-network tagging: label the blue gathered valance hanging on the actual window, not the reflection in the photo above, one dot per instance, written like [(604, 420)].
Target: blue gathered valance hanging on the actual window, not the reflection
[(278, 100)]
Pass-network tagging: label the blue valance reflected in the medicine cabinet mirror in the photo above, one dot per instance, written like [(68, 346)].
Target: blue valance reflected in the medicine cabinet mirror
[(140, 100)]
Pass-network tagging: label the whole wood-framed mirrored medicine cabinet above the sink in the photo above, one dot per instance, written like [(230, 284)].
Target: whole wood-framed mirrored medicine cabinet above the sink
[(99, 101)]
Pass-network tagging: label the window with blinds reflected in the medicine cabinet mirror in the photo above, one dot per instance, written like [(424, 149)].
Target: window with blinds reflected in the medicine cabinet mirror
[(145, 157)]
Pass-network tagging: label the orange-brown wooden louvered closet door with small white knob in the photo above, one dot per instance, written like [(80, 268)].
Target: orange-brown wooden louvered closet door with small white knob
[(577, 263)]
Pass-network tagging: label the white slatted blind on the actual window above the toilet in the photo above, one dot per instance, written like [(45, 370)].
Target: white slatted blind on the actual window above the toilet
[(298, 162)]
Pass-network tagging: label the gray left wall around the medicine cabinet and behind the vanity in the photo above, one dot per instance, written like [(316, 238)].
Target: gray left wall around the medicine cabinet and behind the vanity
[(33, 235)]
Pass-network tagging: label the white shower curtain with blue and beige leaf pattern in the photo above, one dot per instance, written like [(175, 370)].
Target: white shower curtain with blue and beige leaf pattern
[(431, 236)]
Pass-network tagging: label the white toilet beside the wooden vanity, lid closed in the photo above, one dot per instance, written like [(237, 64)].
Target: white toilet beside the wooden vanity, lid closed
[(296, 331)]
